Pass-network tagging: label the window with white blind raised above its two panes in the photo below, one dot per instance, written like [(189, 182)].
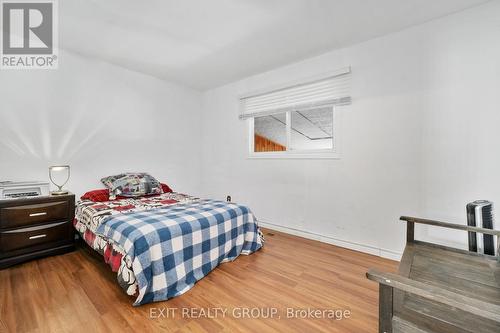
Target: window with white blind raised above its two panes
[(297, 121)]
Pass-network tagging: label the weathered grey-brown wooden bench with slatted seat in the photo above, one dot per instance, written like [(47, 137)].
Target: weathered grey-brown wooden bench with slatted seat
[(439, 288)]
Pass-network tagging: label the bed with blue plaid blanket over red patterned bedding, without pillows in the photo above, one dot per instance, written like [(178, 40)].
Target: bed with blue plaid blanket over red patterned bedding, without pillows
[(161, 245)]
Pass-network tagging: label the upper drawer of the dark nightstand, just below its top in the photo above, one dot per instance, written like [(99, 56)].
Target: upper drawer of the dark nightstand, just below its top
[(19, 216)]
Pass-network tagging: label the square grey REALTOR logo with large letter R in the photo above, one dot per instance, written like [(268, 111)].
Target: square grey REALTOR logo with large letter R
[(29, 34)]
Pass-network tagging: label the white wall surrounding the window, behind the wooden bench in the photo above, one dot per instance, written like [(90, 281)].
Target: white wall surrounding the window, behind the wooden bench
[(419, 138)]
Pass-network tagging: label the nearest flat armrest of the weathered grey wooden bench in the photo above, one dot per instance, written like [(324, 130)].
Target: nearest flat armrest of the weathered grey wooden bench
[(477, 307)]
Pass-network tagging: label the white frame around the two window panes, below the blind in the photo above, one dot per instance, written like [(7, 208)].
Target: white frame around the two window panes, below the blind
[(333, 153)]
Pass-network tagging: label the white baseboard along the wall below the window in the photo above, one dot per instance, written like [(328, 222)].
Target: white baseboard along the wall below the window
[(384, 253)]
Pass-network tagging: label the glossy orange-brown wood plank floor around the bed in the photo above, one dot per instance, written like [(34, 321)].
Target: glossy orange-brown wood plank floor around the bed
[(76, 292)]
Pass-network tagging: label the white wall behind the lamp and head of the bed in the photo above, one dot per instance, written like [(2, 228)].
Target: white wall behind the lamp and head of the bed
[(100, 119)]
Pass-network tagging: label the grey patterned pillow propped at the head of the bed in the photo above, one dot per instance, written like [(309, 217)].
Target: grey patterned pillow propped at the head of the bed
[(131, 185)]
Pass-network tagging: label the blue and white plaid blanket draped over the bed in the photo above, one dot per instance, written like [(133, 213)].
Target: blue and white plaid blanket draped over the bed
[(173, 247)]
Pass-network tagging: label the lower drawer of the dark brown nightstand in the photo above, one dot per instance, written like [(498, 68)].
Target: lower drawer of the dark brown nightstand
[(21, 238)]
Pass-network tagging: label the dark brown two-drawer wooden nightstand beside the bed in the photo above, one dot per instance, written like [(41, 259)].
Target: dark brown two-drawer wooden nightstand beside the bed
[(35, 227)]
